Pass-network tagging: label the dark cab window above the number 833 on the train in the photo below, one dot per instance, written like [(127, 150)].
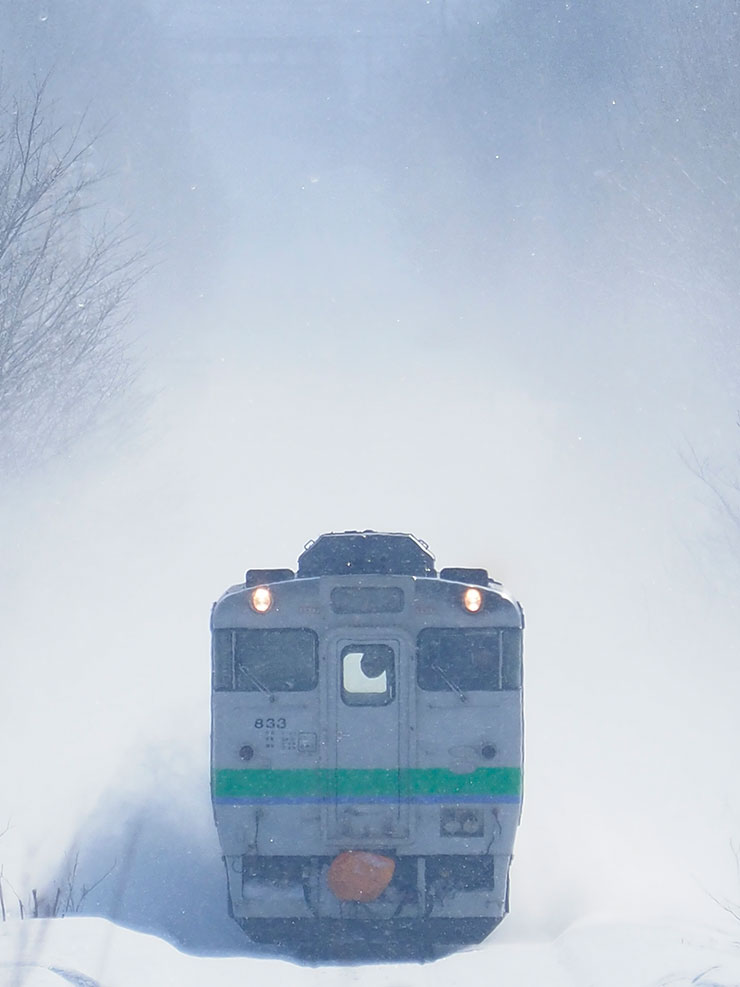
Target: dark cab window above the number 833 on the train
[(265, 660)]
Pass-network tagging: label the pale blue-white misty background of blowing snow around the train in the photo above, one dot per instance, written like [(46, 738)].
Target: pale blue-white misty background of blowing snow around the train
[(467, 270)]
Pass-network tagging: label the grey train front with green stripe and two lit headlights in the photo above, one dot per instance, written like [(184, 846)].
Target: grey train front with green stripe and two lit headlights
[(367, 746)]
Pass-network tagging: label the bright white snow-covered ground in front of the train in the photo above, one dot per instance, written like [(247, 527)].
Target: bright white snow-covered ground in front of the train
[(91, 952)]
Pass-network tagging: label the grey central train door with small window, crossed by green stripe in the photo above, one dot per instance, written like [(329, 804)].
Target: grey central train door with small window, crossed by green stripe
[(368, 722)]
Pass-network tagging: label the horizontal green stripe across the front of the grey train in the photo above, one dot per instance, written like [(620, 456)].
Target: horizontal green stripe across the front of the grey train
[(359, 782)]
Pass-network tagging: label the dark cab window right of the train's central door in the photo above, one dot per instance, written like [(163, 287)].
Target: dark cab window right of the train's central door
[(461, 660)]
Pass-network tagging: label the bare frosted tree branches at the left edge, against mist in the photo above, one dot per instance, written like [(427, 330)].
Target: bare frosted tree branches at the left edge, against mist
[(64, 287)]
